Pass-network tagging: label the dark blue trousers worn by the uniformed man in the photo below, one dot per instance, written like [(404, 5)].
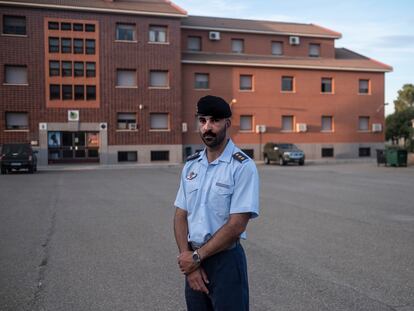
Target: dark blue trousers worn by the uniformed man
[(228, 287)]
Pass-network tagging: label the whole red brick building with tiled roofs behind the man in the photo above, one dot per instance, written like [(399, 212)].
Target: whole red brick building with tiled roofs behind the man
[(117, 81)]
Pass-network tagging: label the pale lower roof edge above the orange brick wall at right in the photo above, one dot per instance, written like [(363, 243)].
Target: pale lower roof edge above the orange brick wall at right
[(196, 62)]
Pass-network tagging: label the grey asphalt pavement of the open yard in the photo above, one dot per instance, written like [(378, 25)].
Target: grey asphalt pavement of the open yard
[(329, 237)]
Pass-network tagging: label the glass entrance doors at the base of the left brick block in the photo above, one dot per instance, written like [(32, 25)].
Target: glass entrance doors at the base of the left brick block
[(73, 147)]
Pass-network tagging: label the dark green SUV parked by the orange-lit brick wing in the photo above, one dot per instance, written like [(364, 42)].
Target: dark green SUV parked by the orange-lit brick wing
[(283, 153)]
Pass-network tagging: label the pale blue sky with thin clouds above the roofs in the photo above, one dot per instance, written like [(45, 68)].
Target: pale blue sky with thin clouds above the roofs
[(382, 29)]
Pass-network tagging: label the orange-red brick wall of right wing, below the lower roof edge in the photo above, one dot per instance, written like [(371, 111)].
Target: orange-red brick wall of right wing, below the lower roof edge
[(307, 104)]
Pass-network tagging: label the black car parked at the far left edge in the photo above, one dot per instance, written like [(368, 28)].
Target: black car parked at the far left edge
[(17, 157)]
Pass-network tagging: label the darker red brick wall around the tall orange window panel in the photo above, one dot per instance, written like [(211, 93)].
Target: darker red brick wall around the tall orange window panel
[(141, 55)]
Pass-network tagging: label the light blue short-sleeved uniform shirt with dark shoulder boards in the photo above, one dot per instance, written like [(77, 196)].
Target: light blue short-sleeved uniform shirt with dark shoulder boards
[(211, 192)]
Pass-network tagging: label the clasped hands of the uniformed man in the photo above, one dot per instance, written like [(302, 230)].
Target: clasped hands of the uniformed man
[(196, 276)]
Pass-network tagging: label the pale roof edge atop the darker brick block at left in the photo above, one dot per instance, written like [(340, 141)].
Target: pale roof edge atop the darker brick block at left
[(89, 9)]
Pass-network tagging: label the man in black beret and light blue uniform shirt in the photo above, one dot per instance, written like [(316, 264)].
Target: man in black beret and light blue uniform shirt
[(218, 194)]
